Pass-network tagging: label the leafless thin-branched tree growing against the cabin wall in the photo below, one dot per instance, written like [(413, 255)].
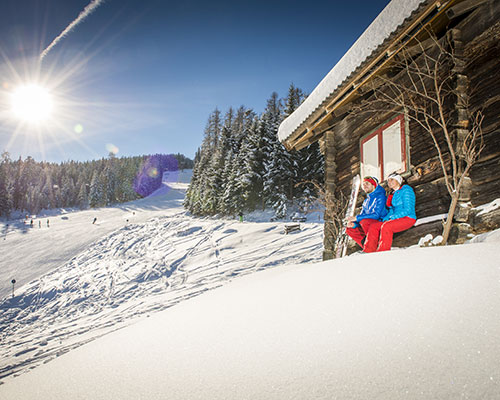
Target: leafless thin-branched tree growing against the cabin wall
[(428, 80)]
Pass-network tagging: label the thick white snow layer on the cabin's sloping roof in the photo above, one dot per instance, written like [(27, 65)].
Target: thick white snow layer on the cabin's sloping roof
[(391, 17)]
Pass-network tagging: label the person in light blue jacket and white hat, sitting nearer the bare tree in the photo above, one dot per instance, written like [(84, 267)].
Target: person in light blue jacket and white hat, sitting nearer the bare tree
[(400, 215)]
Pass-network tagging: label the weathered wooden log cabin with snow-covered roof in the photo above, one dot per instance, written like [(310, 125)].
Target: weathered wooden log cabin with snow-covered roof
[(361, 134)]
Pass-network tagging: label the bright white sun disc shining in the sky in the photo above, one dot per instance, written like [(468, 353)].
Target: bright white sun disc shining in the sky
[(32, 103)]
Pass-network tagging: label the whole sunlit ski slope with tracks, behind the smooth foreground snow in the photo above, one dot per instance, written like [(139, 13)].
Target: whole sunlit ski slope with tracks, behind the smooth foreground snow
[(86, 279)]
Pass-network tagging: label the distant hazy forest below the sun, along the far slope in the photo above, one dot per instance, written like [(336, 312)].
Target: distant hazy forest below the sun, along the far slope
[(30, 186)]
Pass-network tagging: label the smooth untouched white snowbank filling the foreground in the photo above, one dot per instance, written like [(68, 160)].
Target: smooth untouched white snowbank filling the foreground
[(406, 324)]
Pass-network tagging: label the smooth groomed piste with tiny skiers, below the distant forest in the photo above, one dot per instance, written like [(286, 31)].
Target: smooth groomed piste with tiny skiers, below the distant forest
[(28, 253)]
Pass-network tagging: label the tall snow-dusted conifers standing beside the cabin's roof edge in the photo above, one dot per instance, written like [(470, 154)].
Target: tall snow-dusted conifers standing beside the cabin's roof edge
[(242, 166)]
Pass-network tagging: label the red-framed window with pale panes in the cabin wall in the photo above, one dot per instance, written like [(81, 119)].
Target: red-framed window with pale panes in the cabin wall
[(384, 151)]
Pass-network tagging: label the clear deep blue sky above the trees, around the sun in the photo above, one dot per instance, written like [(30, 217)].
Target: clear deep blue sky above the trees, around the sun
[(141, 77)]
